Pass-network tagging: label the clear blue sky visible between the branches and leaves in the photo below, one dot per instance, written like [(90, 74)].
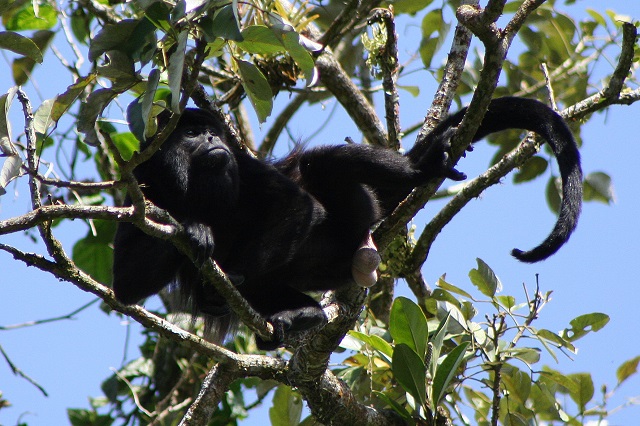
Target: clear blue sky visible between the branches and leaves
[(595, 272)]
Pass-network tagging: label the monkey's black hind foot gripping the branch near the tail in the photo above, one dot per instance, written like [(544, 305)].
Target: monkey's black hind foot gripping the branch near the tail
[(437, 160)]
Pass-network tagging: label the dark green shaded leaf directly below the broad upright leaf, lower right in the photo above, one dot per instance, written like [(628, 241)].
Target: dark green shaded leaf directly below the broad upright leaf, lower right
[(409, 370)]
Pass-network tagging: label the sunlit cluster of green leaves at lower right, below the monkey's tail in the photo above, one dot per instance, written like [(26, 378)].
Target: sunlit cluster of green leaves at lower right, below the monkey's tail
[(451, 360)]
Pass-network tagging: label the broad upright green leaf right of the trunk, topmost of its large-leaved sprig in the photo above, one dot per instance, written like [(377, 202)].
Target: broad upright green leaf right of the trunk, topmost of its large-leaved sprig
[(408, 325)]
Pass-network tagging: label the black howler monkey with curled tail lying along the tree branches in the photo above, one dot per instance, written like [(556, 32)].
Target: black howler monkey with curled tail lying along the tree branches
[(280, 229)]
